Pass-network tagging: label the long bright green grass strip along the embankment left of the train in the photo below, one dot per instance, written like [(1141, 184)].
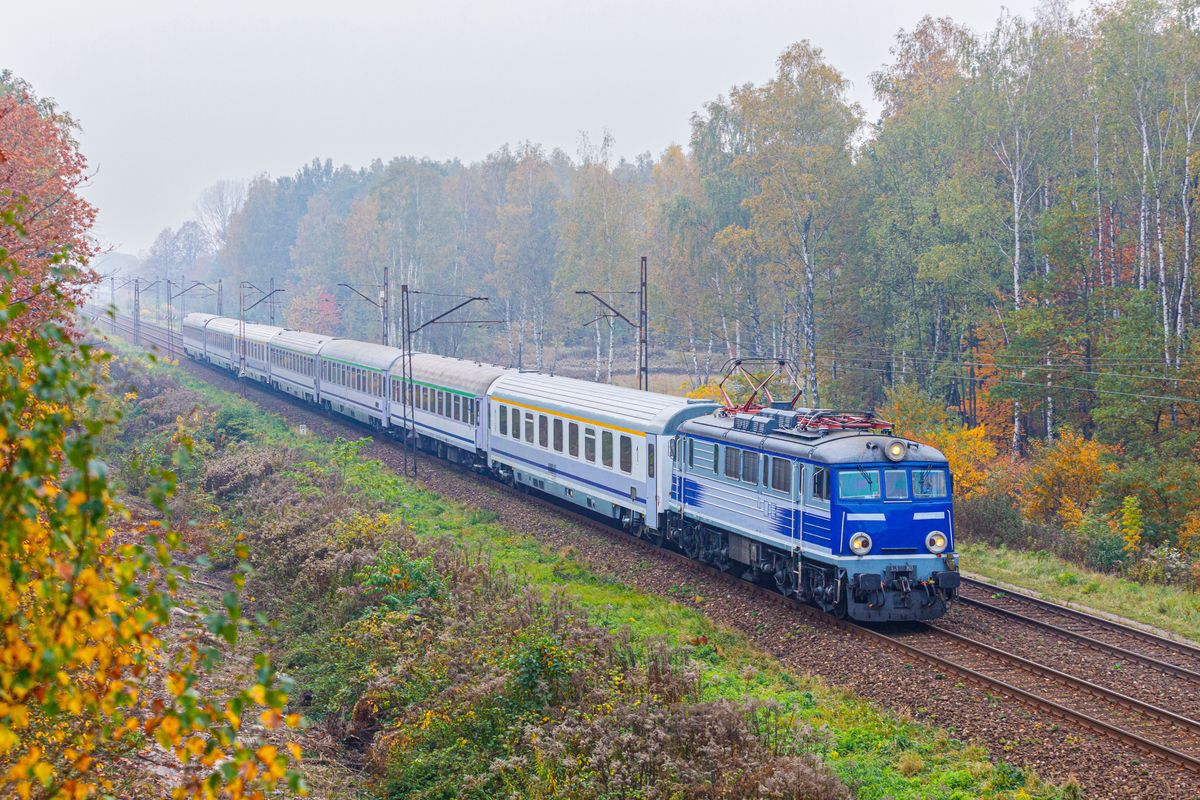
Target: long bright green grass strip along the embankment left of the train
[(863, 744)]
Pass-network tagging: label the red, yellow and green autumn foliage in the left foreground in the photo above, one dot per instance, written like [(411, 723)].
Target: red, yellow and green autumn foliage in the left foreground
[(87, 681)]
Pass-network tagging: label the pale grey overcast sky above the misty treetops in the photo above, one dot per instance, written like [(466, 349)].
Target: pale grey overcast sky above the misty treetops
[(176, 95)]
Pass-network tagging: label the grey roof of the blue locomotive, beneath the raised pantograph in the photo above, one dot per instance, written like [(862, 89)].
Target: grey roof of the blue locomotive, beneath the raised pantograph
[(833, 448)]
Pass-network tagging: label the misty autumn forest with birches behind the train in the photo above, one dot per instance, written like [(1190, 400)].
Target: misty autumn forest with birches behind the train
[(1009, 246)]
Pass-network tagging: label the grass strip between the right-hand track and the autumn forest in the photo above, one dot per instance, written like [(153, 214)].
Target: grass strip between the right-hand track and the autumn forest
[(1166, 607)]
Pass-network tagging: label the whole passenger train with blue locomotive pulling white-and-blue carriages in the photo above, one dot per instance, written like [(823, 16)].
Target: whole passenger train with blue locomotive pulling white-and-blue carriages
[(827, 507)]
